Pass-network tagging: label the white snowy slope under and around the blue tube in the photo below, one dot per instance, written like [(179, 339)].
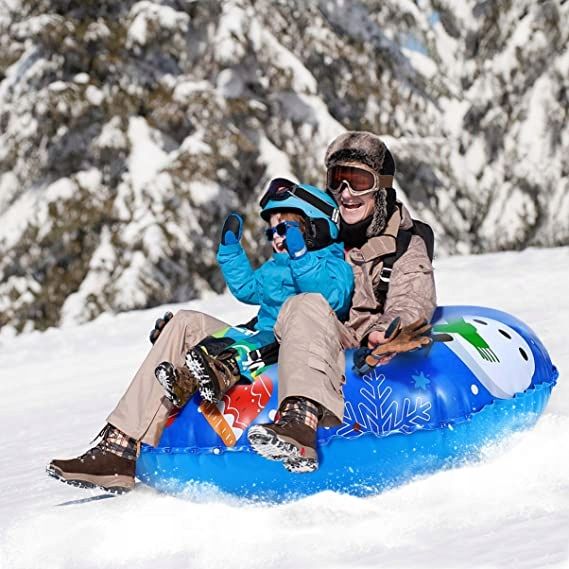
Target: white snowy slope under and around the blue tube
[(510, 510)]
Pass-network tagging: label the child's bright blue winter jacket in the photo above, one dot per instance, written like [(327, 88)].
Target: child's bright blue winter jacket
[(323, 271)]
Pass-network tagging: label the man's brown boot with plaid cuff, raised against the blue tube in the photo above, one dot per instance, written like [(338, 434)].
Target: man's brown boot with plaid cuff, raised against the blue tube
[(292, 438)]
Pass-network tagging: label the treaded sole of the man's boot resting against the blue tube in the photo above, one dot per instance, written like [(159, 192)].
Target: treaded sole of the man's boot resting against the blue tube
[(280, 448)]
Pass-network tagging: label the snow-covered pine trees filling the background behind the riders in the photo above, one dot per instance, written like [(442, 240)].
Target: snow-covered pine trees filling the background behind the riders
[(129, 129)]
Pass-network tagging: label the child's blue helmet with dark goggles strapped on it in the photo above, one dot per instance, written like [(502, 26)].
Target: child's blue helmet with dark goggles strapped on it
[(316, 206)]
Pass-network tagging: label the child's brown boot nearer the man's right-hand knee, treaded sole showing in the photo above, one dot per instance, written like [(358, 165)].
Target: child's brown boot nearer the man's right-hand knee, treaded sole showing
[(215, 375)]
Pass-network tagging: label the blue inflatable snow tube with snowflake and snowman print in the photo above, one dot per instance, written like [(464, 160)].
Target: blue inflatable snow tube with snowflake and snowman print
[(424, 411)]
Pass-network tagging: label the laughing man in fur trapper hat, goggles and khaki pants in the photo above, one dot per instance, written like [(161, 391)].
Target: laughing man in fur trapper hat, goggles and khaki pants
[(360, 172)]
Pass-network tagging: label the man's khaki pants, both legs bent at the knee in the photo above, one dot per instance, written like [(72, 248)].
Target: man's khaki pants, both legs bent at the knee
[(311, 364)]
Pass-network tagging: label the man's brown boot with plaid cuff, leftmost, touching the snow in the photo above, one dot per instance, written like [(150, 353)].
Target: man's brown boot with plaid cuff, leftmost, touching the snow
[(110, 465)]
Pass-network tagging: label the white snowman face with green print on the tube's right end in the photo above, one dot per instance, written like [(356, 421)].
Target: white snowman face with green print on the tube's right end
[(496, 354)]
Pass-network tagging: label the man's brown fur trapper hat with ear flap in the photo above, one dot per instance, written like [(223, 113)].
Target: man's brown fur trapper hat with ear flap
[(367, 148)]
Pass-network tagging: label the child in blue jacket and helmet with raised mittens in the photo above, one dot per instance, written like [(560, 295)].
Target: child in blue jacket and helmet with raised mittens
[(307, 257)]
